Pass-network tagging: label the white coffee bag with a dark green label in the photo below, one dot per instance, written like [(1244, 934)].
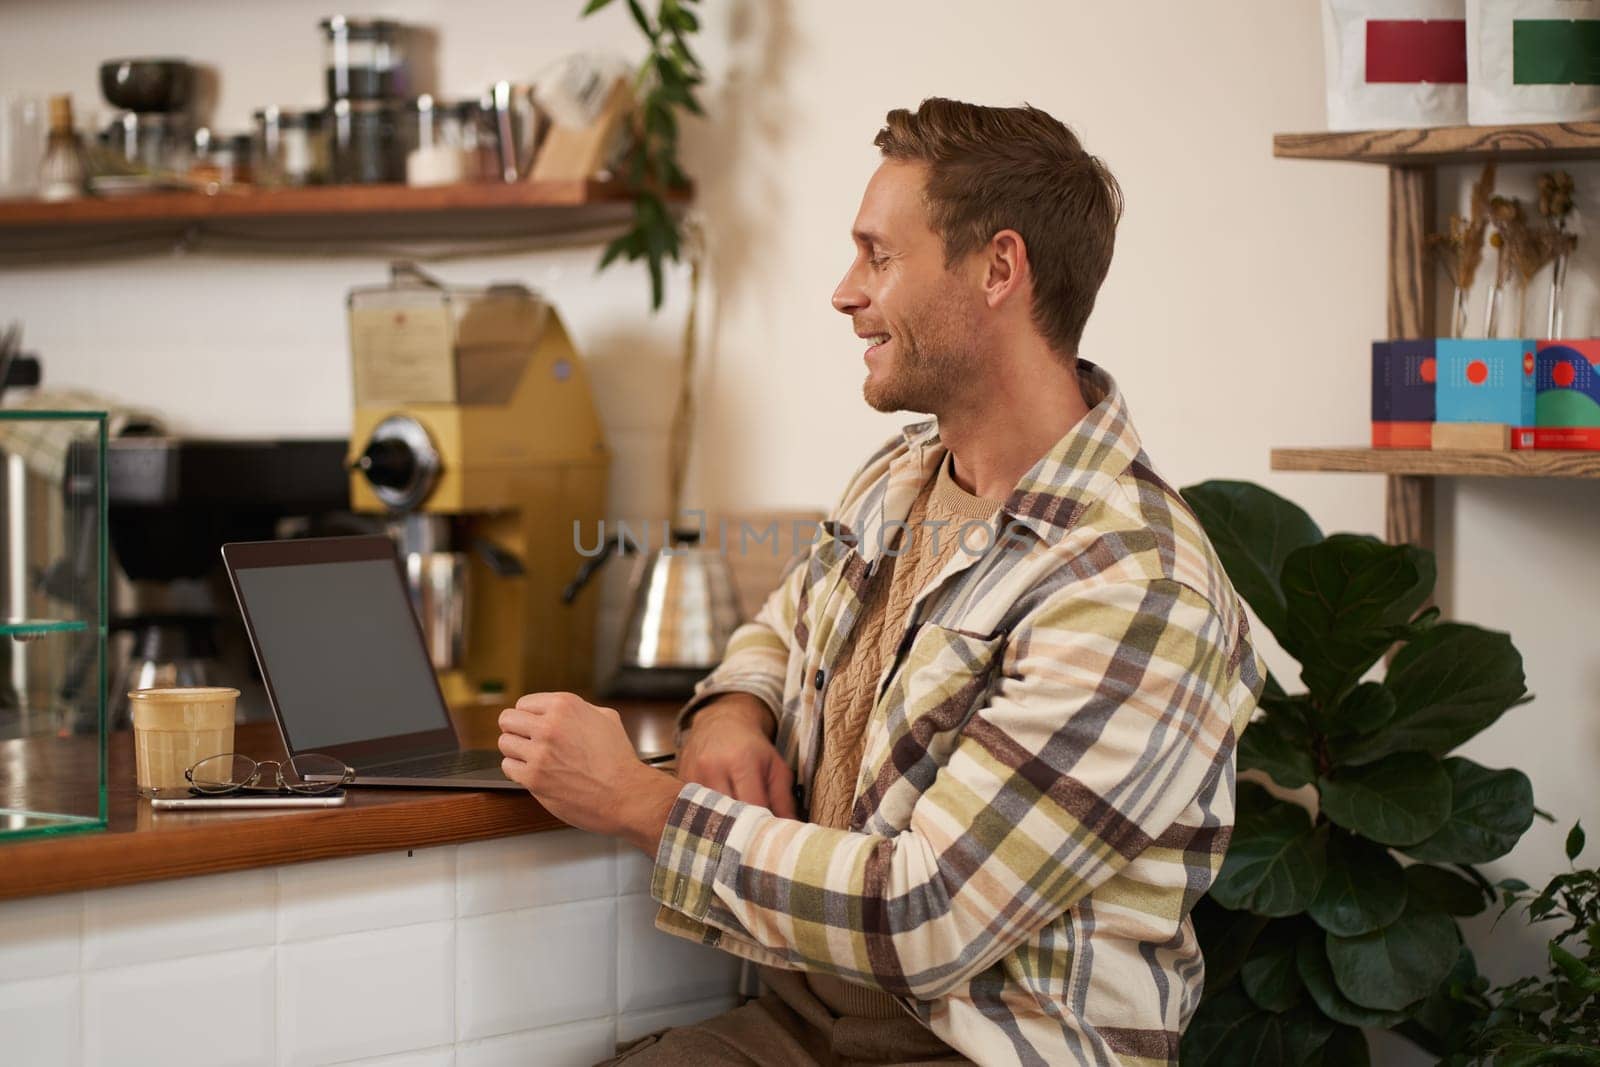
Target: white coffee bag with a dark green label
[(1534, 62)]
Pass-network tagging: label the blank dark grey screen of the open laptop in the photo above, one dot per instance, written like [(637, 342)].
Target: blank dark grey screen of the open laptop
[(343, 650)]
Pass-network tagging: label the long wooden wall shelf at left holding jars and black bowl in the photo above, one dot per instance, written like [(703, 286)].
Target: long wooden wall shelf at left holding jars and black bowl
[(313, 202)]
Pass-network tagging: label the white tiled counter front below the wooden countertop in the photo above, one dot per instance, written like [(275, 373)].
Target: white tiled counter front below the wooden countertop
[(534, 951)]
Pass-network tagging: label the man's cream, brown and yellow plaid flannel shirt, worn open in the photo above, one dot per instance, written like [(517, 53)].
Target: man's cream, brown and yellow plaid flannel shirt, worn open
[(1047, 785)]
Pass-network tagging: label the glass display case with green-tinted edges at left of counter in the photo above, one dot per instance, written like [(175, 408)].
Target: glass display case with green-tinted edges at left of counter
[(52, 623)]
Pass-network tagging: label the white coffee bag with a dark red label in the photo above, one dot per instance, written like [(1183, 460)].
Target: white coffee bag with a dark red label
[(1396, 63)]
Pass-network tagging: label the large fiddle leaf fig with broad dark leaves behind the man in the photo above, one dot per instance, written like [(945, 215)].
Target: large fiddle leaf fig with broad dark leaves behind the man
[(1358, 833)]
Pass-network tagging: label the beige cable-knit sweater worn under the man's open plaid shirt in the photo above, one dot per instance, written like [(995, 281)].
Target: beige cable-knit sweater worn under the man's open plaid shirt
[(924, 551)]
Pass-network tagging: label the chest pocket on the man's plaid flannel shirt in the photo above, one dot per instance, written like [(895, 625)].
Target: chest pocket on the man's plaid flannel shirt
[(942, 681)]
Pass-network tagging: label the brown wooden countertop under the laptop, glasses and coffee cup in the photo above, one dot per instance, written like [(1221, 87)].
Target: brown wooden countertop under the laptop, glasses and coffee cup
[(143, 845)]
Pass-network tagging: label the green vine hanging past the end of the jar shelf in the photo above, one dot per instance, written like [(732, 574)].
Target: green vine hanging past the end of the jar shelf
[(663, 89)]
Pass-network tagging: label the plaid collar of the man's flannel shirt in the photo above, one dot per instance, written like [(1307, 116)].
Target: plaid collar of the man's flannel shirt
[(1068, 479)]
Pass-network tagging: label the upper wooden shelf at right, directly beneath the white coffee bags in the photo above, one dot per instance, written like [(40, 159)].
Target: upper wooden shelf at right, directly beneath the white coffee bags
[(1447, 145)]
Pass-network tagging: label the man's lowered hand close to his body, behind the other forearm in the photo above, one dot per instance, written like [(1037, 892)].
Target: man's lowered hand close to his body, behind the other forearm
[(729, 749)]
